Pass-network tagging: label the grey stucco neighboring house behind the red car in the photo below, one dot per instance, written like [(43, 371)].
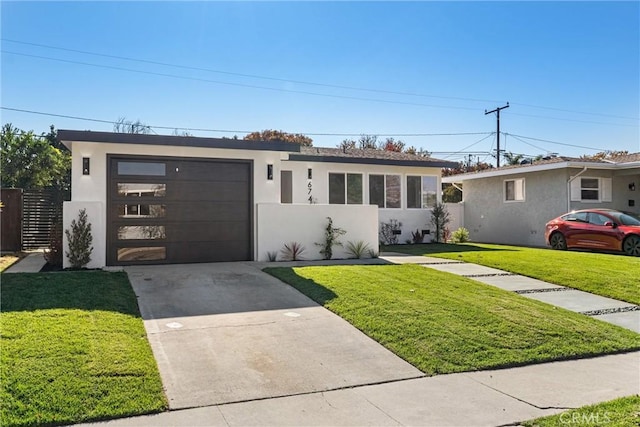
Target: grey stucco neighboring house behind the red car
[(512, 204)]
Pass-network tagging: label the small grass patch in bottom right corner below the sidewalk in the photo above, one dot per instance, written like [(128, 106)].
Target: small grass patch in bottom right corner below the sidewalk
[(623, 412)]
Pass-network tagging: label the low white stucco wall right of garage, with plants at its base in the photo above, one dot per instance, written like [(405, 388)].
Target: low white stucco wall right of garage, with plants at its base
[(305, 224)]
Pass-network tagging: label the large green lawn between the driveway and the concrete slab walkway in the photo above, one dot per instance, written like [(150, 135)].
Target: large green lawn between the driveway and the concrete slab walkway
[(443, 323)]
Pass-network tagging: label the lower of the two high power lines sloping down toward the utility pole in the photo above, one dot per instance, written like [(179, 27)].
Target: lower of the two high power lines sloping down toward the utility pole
[(175, 76)]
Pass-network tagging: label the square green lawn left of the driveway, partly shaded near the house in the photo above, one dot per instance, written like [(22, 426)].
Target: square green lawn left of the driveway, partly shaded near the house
[(74, 349)]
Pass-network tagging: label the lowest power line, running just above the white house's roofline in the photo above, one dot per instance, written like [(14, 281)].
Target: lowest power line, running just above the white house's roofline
[(242, 131)]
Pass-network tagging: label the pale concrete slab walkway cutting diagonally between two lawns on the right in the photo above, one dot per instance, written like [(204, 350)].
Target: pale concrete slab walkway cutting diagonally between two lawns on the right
[(608, 310)]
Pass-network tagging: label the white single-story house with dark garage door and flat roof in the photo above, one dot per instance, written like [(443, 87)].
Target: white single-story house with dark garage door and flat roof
[(172, 199)]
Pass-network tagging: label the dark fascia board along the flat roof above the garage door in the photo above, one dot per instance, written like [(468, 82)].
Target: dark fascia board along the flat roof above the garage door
[(178, 141)]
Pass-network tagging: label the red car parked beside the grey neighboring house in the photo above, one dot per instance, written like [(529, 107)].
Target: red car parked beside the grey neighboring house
[(604, 229)]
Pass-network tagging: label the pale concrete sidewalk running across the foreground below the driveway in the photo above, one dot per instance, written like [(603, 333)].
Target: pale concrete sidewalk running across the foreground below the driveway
[(485, 398)]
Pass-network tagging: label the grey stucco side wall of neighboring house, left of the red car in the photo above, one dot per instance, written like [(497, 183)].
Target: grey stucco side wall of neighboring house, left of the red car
[(490, 219)]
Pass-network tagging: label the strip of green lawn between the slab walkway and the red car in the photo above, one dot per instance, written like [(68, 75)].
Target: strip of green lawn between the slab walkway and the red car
[(613, 276)]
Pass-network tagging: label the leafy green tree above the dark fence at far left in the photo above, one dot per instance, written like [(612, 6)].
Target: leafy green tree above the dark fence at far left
[(31, 161)]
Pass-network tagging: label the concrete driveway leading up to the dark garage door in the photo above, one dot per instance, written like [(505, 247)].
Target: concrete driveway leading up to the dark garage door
[(227, 332)]
